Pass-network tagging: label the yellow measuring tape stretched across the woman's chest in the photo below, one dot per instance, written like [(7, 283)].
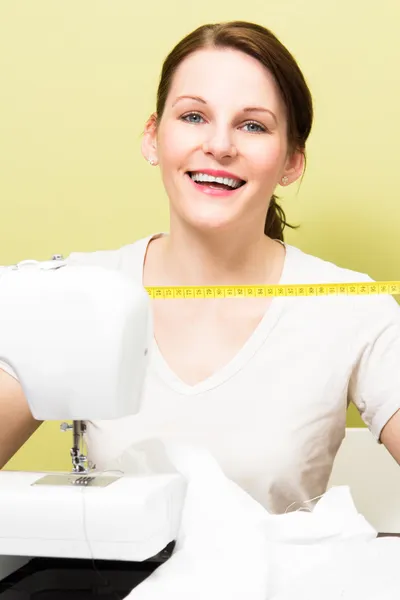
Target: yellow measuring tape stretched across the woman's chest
[(256, 291)]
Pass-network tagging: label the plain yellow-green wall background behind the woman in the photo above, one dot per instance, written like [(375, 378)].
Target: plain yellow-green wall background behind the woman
[(78, 79)]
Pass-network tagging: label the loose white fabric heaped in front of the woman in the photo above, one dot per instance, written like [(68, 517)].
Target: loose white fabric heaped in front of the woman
[(231, 547)]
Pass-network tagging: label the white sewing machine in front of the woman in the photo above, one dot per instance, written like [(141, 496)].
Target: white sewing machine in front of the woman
[(78, 339)]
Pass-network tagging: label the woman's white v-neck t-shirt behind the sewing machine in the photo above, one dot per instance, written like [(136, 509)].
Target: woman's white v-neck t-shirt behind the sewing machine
[(275, 415)]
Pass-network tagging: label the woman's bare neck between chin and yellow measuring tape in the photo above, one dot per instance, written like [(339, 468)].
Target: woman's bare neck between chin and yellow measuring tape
[(191, 257)]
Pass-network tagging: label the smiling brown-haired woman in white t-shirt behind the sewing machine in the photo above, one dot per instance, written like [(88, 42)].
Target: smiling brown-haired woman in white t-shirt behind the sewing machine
[(264, 384)]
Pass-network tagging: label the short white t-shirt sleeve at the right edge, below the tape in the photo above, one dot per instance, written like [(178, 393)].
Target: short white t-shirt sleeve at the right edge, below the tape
[(375, 379)]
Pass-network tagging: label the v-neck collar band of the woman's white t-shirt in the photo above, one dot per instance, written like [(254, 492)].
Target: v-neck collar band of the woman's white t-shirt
[(257, 338)]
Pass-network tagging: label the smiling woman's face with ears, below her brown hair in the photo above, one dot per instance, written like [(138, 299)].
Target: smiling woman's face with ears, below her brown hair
[(223, 118)]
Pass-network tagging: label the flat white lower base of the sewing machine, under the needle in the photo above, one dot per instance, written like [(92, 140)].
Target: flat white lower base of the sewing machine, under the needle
[(131, 520)]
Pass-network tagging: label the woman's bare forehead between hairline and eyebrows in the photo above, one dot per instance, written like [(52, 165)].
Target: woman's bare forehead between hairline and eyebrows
[(225, 76)]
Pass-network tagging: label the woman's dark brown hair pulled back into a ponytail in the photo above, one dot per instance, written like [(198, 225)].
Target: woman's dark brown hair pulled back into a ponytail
[(260, 43)]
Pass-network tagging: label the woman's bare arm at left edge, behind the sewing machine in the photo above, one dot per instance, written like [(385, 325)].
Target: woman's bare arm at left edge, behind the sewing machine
[(16, 421)]
